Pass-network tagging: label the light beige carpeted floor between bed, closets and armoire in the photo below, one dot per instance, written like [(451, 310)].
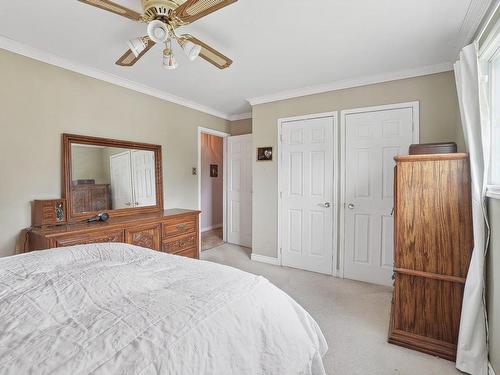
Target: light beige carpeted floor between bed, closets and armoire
[(354, 317)]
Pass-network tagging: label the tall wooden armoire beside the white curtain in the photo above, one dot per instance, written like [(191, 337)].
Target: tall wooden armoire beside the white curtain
[(433, 246)]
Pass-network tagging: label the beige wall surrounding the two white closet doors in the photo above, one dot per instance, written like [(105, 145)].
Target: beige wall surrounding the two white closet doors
[(439, 121)]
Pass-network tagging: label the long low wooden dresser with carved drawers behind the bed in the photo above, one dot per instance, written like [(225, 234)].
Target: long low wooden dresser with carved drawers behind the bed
[(171, 231)]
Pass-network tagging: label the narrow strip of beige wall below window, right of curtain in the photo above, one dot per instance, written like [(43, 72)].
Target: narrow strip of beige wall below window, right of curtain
[(493, 284)]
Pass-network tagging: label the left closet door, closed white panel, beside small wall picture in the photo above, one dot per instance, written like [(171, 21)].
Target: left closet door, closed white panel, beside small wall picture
[(307, 194)]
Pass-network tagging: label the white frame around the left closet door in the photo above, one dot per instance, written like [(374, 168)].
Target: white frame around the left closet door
[(279, 153)]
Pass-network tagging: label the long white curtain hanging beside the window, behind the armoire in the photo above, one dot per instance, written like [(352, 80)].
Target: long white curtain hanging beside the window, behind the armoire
[(472, 353)]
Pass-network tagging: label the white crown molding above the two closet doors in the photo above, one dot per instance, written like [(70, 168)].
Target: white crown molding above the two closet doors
[(351, 83)]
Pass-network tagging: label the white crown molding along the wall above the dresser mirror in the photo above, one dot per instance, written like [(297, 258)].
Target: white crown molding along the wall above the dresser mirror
[(52, 59)]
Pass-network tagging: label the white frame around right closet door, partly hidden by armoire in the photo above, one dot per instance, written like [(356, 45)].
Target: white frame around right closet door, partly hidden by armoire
[(415, 106)]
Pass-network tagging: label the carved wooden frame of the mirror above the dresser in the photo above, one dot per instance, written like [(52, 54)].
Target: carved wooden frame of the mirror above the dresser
[(68, 139)]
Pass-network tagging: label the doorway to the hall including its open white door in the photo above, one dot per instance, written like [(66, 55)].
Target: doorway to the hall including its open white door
[(234, 169)]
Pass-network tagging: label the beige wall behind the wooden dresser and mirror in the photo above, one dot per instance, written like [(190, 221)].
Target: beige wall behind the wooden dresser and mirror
[(40, 102)]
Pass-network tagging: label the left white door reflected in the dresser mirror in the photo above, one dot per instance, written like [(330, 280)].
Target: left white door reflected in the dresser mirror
[(121, 180)]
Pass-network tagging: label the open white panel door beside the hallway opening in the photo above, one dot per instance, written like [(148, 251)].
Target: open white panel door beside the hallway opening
[(239, 190)]
